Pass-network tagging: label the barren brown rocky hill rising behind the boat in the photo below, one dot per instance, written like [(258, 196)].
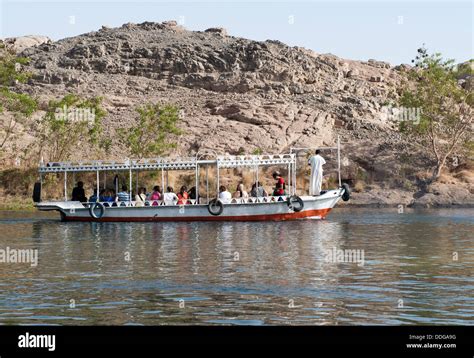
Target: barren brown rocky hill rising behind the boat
[(237, 95)]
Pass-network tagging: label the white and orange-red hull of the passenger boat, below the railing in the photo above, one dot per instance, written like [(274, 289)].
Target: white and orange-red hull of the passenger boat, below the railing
[(314, 207)]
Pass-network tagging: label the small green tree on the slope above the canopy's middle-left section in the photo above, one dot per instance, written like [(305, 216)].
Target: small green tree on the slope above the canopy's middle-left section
[(153, 132)]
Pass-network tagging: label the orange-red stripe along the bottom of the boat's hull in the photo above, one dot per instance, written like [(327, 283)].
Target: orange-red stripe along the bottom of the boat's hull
[(269, 217)]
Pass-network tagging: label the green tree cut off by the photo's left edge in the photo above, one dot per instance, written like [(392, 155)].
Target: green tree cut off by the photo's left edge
[(15, 108)]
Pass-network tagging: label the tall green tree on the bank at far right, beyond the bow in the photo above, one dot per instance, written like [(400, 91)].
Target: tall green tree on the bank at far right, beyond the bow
[(444, 124)]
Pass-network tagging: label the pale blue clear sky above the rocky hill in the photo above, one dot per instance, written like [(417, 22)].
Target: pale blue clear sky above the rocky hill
[(390, 31)]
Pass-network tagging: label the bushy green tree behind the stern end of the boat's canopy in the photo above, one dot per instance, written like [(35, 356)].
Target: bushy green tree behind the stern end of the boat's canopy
[(71, 123)]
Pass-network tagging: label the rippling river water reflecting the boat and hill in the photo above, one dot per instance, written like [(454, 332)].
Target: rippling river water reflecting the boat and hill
[(418, 268)]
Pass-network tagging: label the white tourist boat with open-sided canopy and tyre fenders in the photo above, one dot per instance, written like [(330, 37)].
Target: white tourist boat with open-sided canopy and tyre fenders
[(208, 208)]
